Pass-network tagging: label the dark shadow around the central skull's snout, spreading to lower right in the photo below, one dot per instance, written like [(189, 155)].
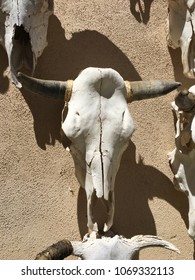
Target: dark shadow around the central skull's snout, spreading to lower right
[(136, 184)]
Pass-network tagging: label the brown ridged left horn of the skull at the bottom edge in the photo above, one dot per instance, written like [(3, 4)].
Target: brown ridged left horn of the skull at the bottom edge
[(57, 251)]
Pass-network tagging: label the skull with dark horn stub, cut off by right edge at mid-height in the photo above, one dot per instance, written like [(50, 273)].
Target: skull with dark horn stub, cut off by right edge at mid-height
[(182, 158)]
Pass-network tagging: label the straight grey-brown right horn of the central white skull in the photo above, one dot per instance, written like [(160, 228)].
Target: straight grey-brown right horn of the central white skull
[(149, 89)]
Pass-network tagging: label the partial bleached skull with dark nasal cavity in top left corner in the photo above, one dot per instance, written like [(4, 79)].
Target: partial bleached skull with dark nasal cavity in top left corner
[(23, 32)]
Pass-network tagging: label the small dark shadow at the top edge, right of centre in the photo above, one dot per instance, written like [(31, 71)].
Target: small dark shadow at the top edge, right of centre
[(140, 9)]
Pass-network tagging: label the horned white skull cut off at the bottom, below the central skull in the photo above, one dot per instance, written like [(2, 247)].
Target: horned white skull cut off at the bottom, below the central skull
[(105, 248)]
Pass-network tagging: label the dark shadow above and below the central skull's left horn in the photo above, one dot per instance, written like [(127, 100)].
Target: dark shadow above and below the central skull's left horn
[(63, 59)]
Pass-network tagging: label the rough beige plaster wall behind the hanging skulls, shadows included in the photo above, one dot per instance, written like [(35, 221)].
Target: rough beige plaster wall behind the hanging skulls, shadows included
[(40, 200)]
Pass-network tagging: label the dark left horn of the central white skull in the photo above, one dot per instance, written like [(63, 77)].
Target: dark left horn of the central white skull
[(48, 88)]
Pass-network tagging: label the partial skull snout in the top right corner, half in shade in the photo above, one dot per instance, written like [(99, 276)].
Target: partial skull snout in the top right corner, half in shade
[(180, 32)]
